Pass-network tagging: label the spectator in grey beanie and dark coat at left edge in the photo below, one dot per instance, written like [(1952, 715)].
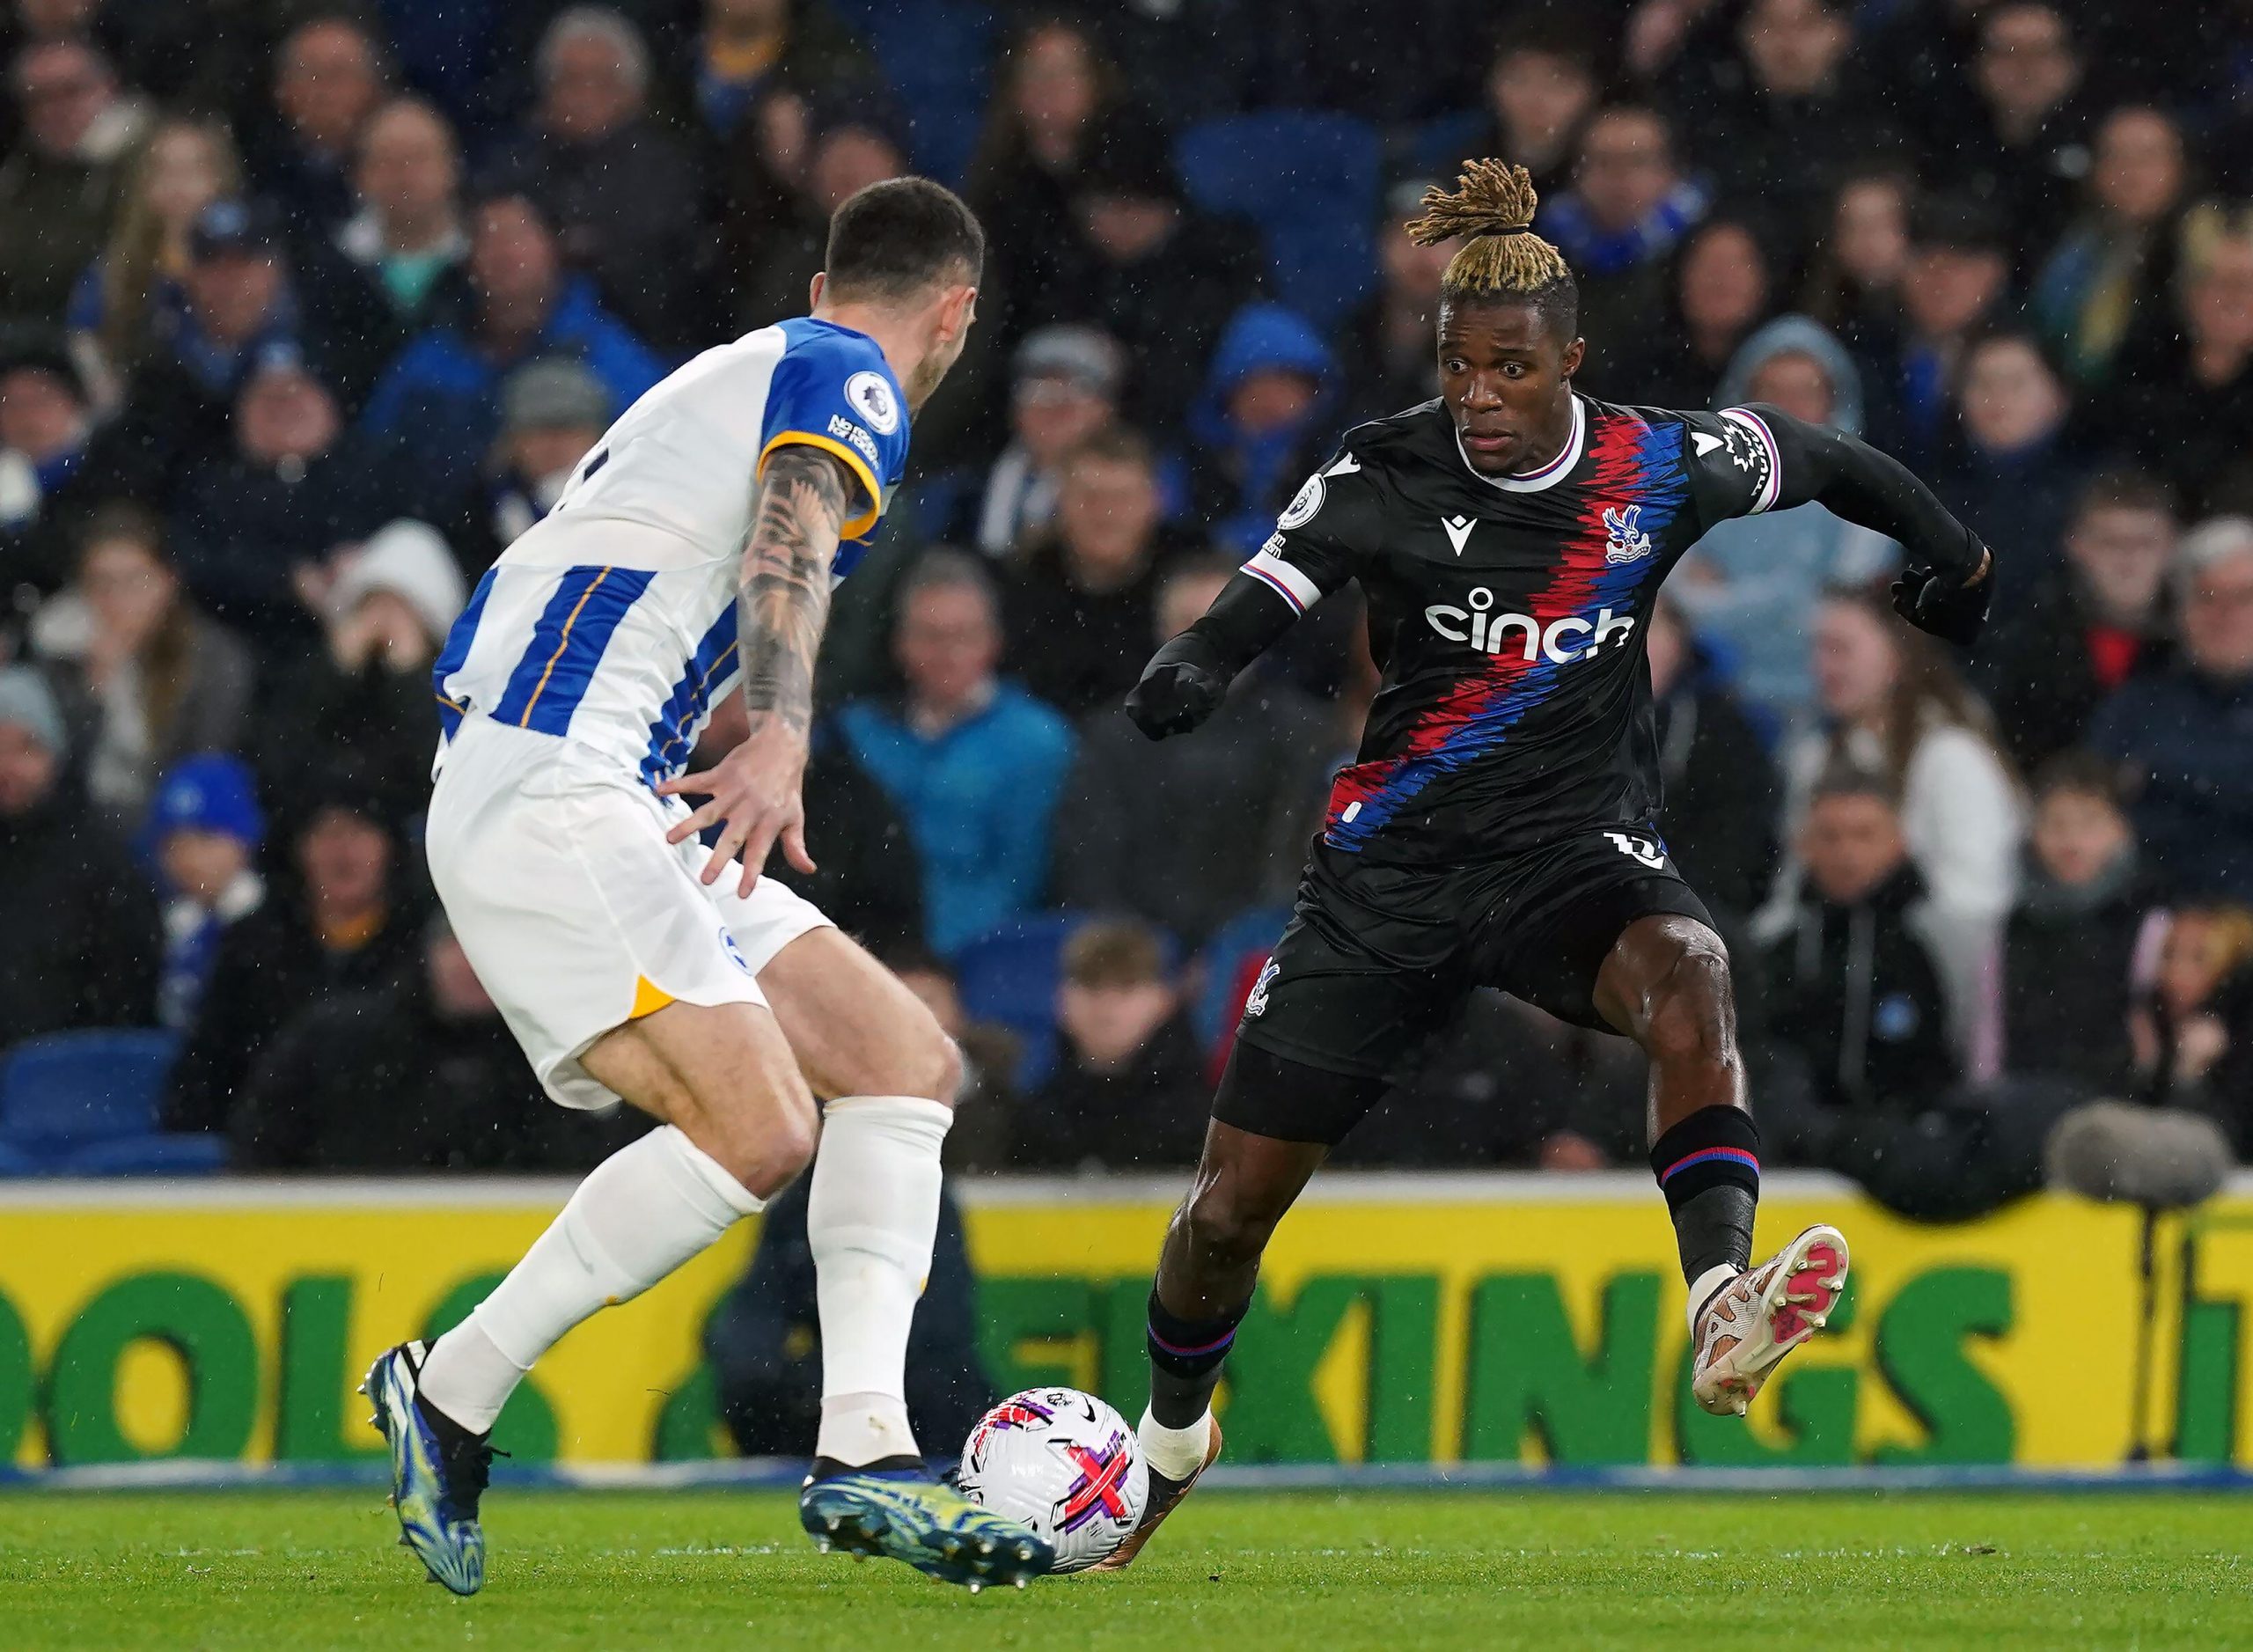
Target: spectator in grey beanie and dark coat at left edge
[(80, 923)]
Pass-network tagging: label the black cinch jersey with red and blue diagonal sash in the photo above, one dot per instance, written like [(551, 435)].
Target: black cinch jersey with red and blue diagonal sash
[(1508, 616)]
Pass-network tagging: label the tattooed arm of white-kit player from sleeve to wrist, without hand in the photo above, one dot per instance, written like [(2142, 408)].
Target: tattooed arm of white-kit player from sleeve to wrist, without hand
[(783, 603)]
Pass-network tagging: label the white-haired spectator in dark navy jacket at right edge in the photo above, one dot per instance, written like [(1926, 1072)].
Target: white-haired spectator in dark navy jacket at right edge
[(2187, 738)]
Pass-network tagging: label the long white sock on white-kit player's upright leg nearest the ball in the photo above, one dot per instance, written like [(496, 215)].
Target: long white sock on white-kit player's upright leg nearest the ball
[(871, 1220)]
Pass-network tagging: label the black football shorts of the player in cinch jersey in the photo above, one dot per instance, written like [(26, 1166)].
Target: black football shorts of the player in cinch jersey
[(1380, 957)]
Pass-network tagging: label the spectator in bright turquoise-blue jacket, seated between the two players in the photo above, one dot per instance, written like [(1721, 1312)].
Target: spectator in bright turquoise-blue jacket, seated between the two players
[(972, 763)]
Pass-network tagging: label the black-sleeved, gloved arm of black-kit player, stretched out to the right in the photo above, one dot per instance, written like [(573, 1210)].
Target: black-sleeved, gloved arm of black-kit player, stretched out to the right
[(1950, 574)]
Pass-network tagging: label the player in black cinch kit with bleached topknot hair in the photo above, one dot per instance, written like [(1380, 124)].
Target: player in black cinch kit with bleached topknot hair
[(1502, 824)]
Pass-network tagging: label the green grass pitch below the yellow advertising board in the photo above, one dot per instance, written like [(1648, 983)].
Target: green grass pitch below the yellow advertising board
[(1234, 1572)]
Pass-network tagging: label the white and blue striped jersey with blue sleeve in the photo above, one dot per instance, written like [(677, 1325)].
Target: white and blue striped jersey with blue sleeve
[(612, 621)]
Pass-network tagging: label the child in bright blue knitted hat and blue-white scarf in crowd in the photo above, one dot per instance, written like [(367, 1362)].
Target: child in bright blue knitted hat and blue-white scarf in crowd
[(204, 835)]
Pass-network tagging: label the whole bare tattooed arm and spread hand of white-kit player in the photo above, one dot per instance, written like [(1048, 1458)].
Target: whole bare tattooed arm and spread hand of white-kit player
[(783, 605)]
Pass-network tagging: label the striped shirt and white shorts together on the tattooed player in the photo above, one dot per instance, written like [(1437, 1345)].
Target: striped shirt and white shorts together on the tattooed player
[(587, 666)]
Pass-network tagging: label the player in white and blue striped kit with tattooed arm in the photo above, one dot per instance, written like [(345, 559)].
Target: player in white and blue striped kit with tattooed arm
[(693, 556)]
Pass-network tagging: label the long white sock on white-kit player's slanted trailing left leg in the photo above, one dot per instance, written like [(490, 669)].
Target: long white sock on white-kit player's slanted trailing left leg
[(636, 1218)]
